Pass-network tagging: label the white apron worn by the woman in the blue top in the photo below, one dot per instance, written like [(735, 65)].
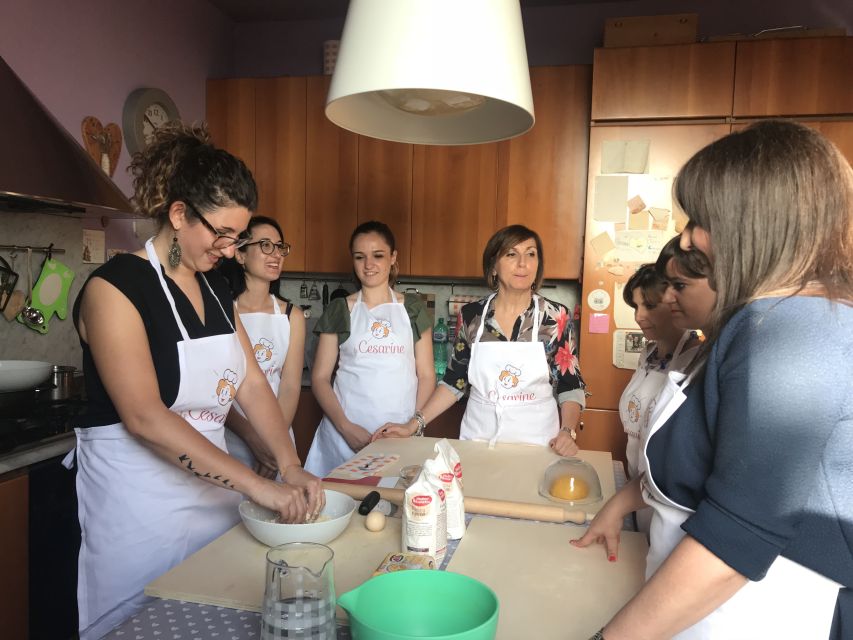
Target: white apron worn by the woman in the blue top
[(790, 603)]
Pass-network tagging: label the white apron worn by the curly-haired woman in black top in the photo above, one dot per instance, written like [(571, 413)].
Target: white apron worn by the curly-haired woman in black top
[(141, 515)]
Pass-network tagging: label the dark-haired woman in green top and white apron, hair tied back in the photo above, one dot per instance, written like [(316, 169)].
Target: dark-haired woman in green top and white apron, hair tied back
[(381, 342)]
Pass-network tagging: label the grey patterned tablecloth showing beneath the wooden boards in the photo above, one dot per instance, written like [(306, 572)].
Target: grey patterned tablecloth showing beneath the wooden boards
[(176, 620)]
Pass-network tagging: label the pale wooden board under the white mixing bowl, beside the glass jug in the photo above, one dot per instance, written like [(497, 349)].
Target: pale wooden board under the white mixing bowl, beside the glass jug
[(230, 571)]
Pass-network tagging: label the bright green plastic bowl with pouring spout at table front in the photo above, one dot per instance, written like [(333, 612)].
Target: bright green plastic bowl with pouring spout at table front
[(409, 605)]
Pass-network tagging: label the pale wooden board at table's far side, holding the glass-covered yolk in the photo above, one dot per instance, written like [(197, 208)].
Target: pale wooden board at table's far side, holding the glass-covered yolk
[(508, 472)]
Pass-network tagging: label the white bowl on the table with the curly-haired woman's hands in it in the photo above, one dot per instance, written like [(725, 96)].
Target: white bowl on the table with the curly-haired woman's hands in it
[(260, 522)]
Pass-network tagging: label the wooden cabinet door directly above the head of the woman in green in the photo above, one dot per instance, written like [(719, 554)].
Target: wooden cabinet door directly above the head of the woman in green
[(385, 191)]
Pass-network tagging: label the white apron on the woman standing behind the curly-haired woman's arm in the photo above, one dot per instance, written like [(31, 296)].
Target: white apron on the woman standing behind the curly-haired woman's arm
[(269, 334)]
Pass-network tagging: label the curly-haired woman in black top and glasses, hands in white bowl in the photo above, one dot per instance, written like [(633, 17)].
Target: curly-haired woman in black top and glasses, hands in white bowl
[(164, 356)]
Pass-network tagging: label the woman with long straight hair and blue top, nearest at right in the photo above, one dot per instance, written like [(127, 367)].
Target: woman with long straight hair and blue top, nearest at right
[(748, 473)]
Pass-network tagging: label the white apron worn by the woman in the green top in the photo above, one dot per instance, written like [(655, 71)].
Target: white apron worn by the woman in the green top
[(376, 381)]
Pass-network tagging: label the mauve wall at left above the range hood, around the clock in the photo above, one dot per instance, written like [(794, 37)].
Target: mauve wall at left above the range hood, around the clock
[(83, 58)]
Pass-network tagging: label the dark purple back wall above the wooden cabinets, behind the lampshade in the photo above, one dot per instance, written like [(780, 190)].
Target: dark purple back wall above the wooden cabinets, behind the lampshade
[(555, 35)]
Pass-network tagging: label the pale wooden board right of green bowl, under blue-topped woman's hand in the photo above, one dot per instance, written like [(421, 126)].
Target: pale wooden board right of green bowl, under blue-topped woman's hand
[(547, 588)]
